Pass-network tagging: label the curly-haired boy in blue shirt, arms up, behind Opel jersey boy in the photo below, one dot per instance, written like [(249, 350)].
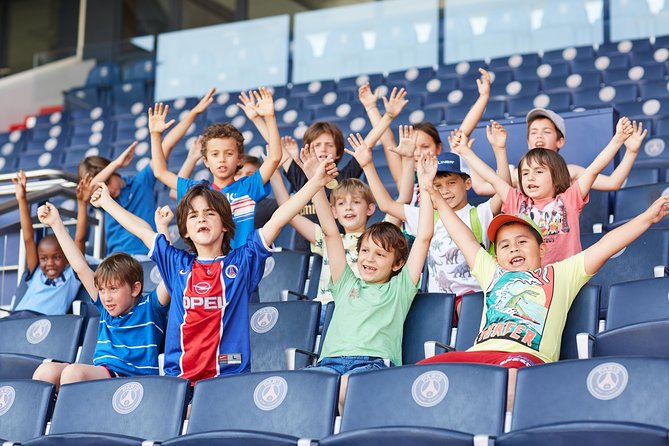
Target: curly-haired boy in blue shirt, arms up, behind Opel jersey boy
[(223, 152)]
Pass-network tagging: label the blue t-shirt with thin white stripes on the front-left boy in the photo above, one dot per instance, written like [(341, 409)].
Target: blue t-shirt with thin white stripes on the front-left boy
[(129, 344)]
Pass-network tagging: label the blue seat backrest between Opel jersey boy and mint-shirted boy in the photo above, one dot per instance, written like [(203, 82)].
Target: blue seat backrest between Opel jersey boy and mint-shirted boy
[(277, 326)]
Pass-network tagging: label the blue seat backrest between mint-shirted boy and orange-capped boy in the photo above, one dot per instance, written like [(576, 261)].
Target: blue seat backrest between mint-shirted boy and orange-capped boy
[(429, 319)]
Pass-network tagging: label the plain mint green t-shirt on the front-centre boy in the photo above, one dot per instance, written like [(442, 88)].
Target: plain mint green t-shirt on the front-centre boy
[(369, 317)]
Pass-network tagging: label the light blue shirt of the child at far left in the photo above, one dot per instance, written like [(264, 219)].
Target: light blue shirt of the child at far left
[(49, 299)]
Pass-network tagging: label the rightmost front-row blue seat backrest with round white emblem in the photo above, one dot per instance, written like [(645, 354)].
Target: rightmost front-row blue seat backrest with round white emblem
[(602, 389)]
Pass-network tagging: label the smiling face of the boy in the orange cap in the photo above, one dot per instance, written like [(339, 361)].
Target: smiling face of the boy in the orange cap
[(517, 249)]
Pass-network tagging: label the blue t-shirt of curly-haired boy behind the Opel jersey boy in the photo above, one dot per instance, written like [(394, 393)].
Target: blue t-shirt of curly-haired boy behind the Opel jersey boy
[(243, 195)]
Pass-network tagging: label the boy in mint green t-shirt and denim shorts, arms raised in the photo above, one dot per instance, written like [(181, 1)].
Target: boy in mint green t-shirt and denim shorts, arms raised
[(366, 328)]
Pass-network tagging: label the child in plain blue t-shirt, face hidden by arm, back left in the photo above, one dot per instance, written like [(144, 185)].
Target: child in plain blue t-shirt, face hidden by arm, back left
[(135, 193)]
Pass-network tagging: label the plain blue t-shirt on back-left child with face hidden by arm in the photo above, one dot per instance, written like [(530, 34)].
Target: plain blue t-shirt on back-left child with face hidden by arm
[(136, 197)]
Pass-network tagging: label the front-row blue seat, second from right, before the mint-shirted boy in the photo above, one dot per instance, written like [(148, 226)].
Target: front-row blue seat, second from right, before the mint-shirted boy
[(423, 404)]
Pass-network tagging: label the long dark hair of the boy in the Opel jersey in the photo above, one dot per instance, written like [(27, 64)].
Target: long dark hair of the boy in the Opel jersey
[(218, 202)]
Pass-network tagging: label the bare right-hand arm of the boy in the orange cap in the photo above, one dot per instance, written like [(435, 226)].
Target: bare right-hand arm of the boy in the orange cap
[(617, 239)]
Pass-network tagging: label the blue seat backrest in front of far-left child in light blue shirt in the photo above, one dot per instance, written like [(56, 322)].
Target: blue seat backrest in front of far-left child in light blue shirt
[(55, 337)]
